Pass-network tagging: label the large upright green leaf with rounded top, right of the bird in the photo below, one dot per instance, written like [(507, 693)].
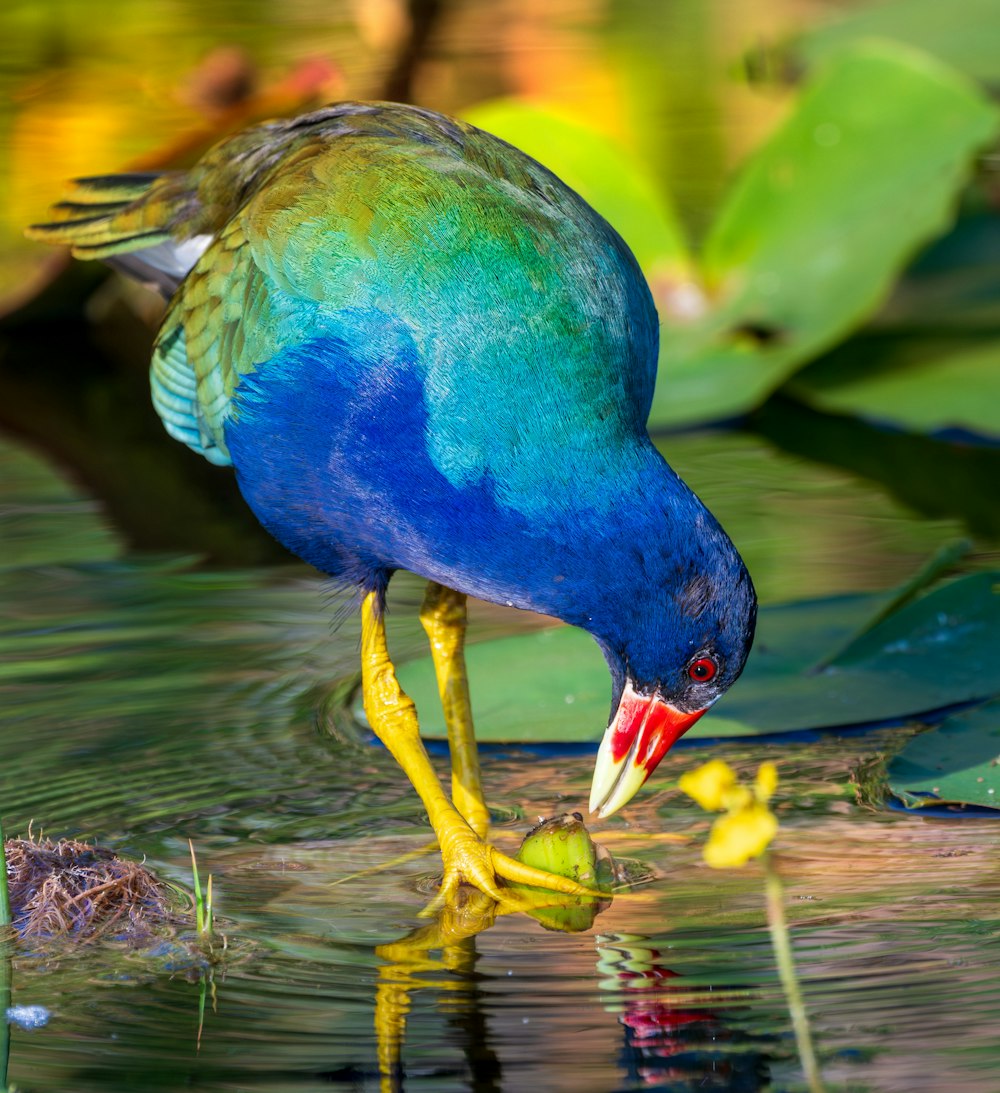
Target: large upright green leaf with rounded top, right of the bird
[(820, 222)]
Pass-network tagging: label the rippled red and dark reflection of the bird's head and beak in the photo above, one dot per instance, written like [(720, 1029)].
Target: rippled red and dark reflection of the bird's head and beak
[(675, 1039)]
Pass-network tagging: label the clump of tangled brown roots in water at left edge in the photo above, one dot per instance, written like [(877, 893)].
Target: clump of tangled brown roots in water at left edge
[(70, 889)]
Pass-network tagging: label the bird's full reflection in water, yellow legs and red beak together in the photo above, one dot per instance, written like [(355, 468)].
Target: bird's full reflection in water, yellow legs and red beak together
[(676, 1037)]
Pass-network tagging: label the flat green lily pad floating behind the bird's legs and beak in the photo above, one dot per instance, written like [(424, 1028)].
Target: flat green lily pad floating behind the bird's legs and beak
[(554, 686)]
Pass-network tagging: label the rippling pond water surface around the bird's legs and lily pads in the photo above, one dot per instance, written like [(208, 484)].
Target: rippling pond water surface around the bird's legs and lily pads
[(148, 702)]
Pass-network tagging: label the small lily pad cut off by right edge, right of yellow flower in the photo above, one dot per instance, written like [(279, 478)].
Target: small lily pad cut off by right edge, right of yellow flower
[(957, 763)]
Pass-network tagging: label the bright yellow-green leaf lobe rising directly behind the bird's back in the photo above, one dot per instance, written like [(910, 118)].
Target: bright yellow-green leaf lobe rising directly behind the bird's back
[(618, 184)]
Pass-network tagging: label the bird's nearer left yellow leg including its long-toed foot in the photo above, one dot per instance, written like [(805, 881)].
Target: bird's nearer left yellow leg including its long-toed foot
[(393, 716)]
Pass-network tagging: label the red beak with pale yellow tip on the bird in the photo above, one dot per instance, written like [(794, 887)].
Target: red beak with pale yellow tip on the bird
[(641, 734)]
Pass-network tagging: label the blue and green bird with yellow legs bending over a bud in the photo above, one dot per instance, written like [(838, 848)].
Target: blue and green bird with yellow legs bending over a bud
[(420, 350)]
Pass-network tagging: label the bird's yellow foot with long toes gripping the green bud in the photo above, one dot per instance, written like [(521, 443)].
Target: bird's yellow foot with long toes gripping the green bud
[(469, 860)]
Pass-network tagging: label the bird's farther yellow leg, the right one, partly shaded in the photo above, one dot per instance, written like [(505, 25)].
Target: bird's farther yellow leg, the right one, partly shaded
[(444, 619)]
